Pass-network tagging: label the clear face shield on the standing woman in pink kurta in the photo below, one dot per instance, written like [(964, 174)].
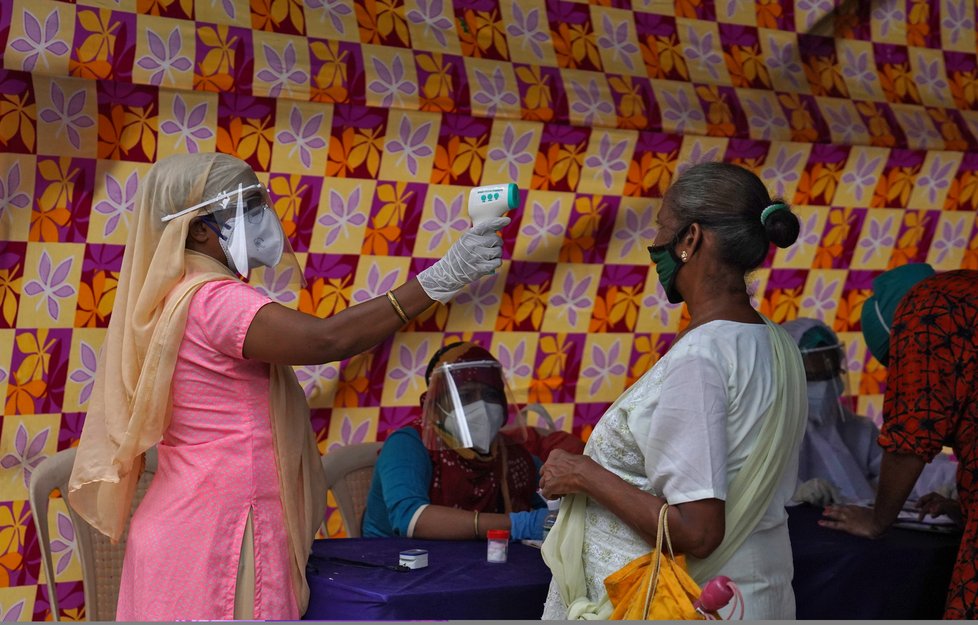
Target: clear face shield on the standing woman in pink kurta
[(249, 231)]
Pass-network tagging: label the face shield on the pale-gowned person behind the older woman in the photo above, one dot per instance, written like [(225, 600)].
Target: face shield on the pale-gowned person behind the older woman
[(829, 399)]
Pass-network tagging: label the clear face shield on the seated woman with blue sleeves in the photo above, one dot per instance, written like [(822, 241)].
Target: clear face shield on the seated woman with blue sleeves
[(466, 405)]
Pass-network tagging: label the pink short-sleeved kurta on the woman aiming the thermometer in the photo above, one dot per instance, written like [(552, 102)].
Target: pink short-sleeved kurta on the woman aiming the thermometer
[(216, 463)]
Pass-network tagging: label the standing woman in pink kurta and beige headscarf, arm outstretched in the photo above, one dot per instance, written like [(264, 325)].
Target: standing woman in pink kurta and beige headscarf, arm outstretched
[(198, 363)]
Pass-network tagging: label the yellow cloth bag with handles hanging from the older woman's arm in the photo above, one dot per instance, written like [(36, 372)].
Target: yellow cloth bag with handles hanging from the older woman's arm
[(654, 586)]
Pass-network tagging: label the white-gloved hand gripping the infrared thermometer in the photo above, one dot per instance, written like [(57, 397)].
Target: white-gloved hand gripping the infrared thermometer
[(477, 253)]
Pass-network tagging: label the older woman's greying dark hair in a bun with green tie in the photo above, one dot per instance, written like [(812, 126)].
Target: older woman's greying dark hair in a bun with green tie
[(728, 200)]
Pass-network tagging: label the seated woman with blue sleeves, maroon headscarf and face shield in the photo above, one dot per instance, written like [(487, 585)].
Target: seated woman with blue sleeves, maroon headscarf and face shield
[(452, 474)]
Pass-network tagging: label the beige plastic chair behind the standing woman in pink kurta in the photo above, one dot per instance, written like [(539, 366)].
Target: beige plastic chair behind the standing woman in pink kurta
[(101, 561)]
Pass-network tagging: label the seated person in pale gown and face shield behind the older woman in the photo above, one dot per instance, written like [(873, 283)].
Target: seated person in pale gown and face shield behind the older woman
[(840, 456)]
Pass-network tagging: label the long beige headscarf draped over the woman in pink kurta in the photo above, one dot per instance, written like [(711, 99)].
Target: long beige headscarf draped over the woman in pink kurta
[(130, 406)]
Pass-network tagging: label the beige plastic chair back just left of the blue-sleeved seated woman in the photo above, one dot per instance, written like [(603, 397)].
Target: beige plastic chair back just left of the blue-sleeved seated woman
[(348, 471)]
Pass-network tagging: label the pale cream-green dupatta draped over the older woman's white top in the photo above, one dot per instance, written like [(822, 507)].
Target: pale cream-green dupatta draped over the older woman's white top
[(748, 497)]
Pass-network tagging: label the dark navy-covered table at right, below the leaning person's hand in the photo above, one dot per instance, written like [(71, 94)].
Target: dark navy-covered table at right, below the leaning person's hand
[(902, 575)]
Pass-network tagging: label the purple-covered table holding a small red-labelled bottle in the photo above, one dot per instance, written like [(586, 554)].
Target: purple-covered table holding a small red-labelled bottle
[(458, 583)]
